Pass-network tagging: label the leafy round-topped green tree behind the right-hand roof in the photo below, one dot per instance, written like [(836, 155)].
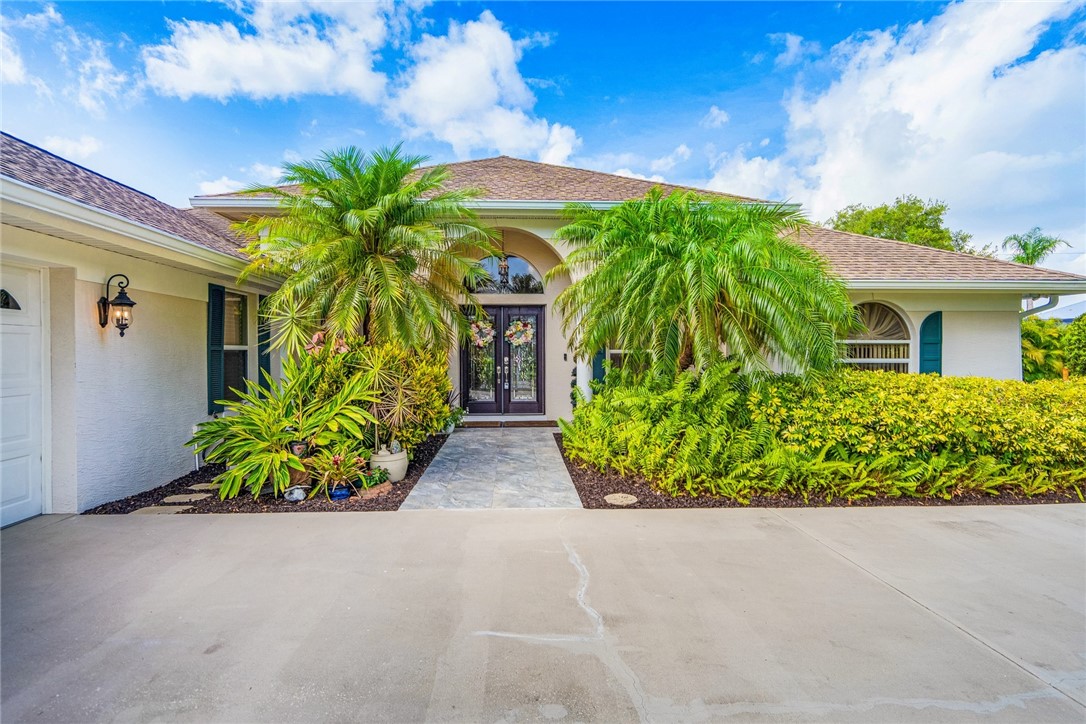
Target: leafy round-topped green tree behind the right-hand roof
[(908, 219)]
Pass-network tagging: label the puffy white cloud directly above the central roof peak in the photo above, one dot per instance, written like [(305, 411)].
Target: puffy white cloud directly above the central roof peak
[(465, 88)]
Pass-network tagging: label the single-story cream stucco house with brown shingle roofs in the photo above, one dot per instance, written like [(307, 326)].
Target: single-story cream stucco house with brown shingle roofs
[(91, 416)]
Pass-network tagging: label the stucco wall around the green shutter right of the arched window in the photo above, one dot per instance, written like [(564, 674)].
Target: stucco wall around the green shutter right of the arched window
[(981, 333)]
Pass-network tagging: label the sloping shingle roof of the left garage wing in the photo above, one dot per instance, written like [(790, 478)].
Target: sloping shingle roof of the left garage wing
[(39, 168)]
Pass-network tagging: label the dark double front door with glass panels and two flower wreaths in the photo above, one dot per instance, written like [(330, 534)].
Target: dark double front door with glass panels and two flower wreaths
[(502, 363)]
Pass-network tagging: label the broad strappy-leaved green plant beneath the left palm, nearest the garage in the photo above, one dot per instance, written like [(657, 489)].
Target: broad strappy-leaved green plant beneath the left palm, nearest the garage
[(252, 438)]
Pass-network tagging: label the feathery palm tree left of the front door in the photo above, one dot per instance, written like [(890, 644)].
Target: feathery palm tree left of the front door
[(368, 245)]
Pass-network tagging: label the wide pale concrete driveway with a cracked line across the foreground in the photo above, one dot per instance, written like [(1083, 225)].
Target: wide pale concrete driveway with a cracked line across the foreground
[(512, 616)]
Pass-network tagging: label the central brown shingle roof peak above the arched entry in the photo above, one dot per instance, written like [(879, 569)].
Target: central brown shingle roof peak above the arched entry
[(504, 179)]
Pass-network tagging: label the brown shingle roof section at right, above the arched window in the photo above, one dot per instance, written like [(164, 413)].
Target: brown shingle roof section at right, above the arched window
[(856, 258)]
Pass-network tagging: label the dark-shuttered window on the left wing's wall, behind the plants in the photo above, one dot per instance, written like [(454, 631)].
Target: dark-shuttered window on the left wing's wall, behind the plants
[(231, 341)]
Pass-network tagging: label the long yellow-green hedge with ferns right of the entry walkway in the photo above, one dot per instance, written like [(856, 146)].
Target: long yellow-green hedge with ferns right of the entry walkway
[(852, 435)]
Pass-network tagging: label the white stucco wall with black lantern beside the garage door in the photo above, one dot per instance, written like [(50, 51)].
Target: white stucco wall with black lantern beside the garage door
[(119, 411)]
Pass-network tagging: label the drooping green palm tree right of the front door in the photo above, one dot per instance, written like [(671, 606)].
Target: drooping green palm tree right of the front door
[(680, 280)]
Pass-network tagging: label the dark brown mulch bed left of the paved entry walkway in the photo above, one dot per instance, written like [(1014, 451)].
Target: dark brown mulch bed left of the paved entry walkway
[(246, 503)]
